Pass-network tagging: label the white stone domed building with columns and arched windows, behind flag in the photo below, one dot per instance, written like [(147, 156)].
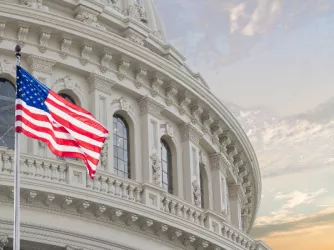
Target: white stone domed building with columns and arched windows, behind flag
[(176, 172)]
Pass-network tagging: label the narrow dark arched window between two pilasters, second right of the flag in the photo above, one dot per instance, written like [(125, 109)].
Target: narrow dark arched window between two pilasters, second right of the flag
[(166, 162)]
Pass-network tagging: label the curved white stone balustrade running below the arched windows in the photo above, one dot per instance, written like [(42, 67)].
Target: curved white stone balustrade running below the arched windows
[(63, 172)]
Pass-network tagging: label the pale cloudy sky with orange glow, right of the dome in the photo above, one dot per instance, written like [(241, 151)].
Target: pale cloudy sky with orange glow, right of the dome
[(271, 62)]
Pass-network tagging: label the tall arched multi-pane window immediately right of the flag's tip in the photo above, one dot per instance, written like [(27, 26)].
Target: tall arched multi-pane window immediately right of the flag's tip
[(121, 147)]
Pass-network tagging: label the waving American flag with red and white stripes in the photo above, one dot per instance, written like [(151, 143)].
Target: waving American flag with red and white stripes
[(68, 130)]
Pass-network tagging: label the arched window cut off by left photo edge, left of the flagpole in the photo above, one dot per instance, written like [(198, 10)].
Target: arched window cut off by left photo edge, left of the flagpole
[(7, 113)]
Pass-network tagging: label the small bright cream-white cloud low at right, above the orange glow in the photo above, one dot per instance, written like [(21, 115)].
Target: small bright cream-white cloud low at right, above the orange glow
[(296, 198)]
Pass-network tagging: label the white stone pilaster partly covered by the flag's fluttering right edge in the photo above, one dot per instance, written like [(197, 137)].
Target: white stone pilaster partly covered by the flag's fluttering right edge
[(99, 97)]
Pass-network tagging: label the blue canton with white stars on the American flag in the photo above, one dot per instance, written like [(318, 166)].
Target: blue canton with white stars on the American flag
[(30, 90)]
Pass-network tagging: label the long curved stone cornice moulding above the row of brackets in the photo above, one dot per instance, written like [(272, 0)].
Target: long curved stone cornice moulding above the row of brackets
[(66, 24)]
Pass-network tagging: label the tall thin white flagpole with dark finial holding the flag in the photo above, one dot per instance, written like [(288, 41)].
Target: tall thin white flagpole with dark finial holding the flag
[(16, 234)]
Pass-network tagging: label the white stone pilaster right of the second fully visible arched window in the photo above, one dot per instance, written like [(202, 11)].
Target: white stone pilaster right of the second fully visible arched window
[(190, 138)]
